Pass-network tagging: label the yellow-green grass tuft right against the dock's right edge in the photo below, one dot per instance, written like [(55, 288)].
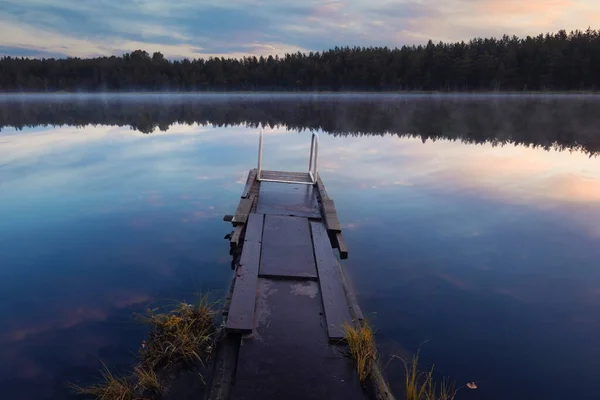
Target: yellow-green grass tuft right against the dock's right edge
[(361, 347)]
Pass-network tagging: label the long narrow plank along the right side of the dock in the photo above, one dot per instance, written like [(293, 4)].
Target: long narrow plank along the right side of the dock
[(336, 306)]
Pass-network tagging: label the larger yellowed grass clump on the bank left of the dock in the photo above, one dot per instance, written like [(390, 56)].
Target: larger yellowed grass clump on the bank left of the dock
[(183, 335)]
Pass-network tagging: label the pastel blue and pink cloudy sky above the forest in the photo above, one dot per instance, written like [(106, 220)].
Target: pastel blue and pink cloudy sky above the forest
[(235, 28)]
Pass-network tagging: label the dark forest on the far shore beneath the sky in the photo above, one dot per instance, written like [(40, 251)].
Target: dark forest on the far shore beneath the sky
[(552, 62)]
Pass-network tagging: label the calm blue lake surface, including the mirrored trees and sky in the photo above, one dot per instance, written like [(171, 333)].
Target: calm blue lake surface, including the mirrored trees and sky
[(483, 252)]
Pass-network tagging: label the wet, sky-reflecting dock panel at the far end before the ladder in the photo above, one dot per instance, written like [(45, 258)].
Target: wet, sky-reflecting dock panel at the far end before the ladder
[(290, 199)]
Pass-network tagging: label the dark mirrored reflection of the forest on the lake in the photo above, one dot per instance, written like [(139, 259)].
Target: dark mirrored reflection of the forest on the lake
[(548, 123)]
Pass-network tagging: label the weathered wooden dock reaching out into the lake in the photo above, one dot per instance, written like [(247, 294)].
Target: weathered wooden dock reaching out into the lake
[(285, 314)]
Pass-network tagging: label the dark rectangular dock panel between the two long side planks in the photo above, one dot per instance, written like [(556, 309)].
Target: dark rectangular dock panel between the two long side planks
[(287, 249)]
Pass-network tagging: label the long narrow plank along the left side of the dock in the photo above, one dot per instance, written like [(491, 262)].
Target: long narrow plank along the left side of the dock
[(240, 317)]
